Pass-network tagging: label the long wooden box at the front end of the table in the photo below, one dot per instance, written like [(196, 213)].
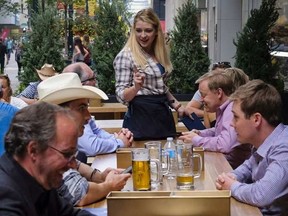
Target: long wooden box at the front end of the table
[(214, 203)]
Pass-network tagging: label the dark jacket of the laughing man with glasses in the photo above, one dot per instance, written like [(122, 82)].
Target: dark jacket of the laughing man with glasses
[(21, 194)]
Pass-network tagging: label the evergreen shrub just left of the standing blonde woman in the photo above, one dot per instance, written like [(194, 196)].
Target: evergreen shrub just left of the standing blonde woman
[(110, 39)]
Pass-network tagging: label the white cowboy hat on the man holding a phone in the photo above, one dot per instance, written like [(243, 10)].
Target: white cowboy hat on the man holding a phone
[(66, 87)]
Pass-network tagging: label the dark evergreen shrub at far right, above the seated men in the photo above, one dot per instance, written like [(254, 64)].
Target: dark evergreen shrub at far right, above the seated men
[(253, 51)]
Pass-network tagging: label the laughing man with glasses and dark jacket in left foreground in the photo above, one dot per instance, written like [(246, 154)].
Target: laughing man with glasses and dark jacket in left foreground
[(38, 151)]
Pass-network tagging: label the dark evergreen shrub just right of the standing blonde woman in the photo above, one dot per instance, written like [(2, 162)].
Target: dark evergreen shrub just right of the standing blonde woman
[(187, 54)]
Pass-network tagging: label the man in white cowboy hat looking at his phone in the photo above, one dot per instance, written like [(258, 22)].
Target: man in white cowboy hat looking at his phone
[(66, 90)]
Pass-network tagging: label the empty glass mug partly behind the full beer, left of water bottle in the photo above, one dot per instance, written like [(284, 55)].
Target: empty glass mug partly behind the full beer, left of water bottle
[(155, 152)]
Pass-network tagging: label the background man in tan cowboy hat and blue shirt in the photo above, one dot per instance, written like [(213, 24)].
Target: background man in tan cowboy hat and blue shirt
[(29, 94)]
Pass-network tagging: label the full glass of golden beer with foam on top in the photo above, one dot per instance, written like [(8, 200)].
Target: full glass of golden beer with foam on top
[(141, 169)]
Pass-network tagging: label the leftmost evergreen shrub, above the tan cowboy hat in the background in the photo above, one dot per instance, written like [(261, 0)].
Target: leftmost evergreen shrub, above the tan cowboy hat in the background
[(44, 45)]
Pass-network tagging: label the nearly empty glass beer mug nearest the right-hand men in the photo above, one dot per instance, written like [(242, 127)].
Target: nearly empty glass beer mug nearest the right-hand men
[(185, 167)]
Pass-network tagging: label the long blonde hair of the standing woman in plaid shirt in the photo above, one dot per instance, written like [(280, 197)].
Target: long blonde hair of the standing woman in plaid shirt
[(148, 15)]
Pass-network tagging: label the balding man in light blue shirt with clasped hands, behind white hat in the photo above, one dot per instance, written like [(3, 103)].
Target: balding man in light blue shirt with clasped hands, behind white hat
[(94, 139)]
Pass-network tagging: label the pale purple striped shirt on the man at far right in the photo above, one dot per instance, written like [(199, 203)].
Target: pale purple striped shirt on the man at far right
[(263, 179)]
